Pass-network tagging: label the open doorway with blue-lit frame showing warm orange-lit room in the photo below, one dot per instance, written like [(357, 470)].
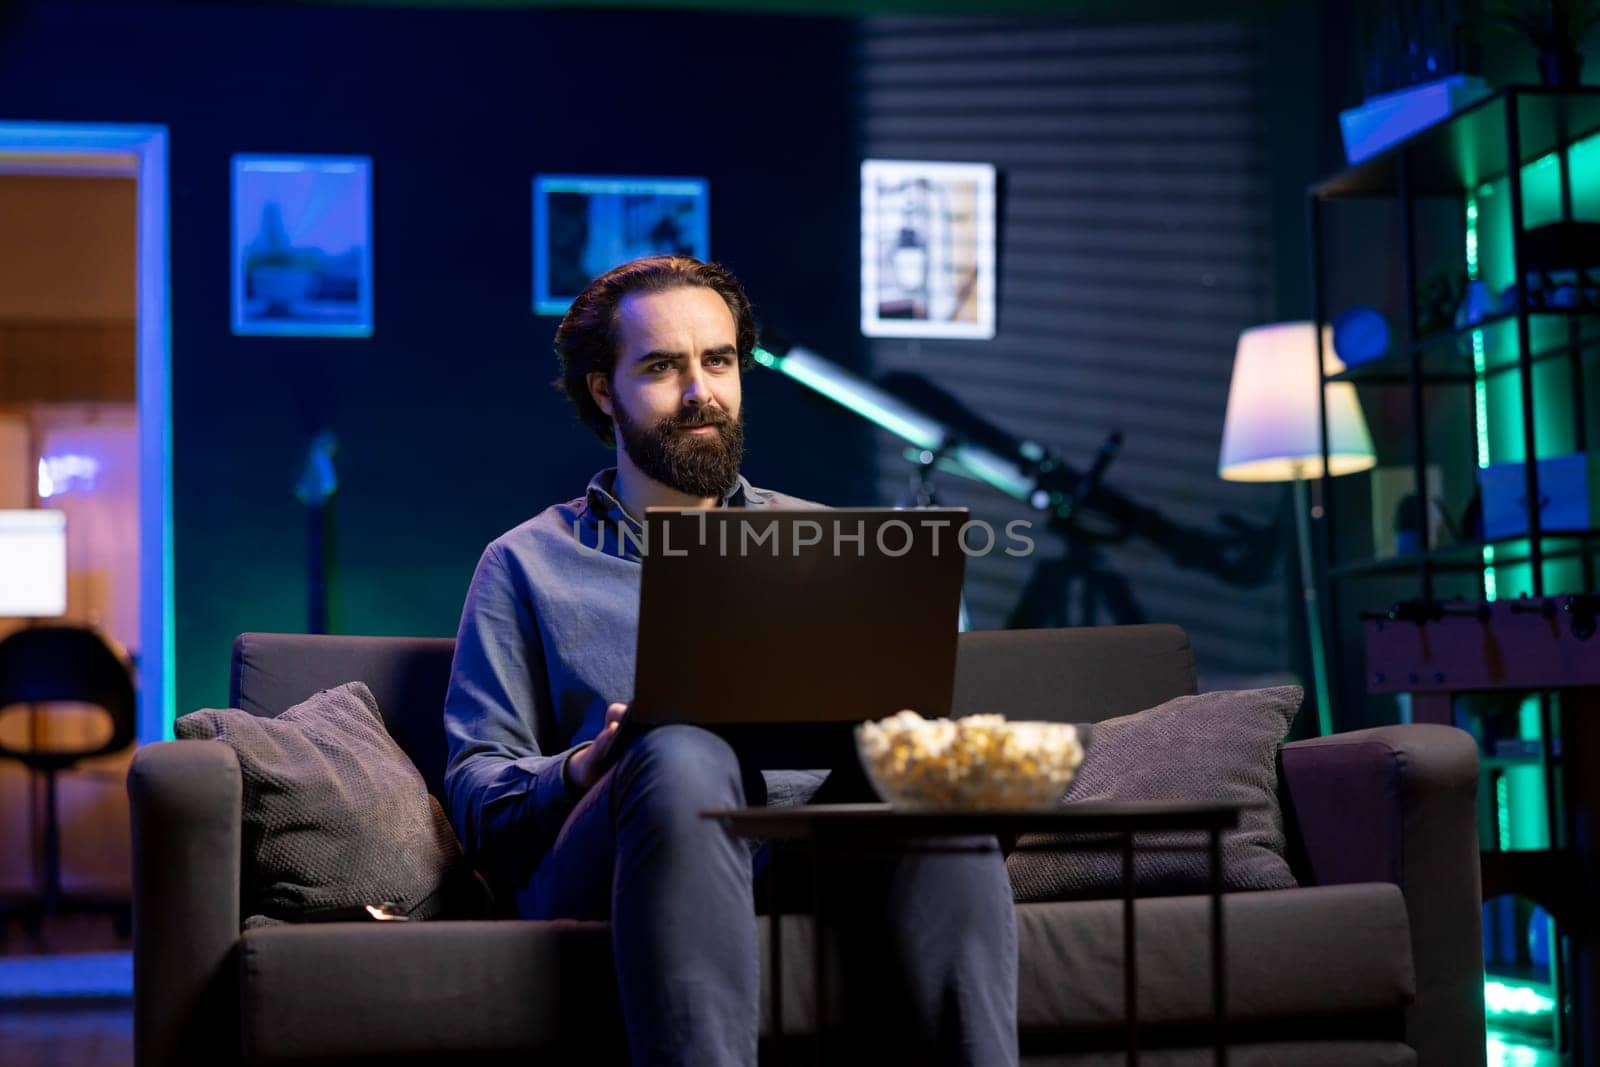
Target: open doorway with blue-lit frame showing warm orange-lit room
[(84, 433)]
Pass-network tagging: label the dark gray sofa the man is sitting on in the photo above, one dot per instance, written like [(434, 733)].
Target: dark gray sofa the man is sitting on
[(1375, 961)]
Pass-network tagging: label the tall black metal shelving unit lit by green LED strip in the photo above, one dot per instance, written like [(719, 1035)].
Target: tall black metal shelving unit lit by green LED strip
[(1519, 385)]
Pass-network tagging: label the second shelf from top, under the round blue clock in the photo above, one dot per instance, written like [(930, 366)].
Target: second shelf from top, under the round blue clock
[(1447, 356)]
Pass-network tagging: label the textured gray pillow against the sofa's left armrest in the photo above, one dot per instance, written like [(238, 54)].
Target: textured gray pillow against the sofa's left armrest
[(335, 813)]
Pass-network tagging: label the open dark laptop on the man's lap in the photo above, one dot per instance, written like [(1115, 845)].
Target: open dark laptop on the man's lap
[(780, 629)]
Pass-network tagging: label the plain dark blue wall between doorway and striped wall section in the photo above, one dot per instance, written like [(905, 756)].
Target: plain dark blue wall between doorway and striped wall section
[(449, 430)]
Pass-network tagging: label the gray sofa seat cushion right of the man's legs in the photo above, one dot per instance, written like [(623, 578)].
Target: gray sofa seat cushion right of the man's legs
[(1295, 954)]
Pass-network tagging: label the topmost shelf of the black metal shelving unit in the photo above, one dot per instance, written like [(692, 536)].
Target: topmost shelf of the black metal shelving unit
[(1462, 153)]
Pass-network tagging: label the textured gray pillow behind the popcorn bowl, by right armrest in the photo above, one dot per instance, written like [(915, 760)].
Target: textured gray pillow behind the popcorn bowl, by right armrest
[(1215, 746)]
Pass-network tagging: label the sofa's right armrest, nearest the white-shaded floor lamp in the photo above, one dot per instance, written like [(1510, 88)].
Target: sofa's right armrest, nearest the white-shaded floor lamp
[(1399, 804)]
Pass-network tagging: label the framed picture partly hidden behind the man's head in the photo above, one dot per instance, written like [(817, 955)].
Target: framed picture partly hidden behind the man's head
[(585, 225)]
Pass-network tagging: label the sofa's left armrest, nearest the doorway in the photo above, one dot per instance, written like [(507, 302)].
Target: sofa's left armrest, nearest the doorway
[(186, 801)]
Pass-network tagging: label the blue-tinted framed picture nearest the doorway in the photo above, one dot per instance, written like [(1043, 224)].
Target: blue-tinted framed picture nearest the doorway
[(303, 246)]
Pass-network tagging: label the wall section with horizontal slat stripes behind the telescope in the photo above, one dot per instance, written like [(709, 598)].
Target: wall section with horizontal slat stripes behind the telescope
[(1134, 249)]
